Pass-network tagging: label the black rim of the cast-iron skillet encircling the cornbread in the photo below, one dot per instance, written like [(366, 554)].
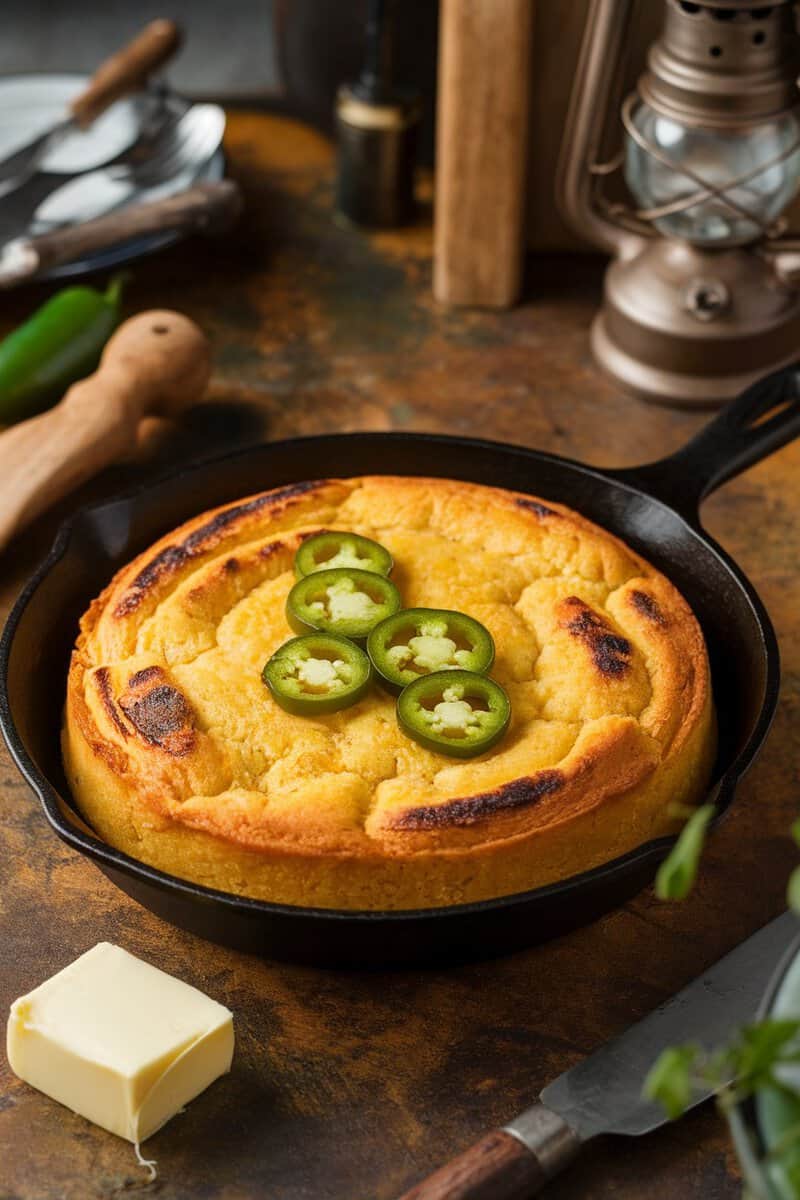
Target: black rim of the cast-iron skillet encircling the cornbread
[(721, 793)]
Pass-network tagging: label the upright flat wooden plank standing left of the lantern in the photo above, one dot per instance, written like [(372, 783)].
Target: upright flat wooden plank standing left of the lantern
[(482, 151)]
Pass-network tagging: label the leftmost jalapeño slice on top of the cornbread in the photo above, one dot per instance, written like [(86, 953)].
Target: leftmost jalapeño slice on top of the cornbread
[(317, 675)]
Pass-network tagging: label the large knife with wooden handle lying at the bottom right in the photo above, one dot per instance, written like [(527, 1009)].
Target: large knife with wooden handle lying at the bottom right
[(603, 1094)]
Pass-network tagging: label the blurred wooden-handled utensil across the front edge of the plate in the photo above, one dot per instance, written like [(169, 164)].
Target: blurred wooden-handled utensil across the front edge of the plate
[(207, 208)]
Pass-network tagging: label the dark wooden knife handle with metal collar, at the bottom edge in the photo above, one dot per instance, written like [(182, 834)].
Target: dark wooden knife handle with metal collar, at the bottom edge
[(504, 1166)]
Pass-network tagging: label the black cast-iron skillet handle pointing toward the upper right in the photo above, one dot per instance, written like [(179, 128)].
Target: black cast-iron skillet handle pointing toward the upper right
[(751, 428)]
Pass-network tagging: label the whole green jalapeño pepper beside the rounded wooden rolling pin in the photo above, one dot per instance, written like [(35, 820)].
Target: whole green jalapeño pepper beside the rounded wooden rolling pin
[(55, 349)]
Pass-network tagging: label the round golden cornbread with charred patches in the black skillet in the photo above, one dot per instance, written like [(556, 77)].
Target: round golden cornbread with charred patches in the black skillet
[(178, 754)]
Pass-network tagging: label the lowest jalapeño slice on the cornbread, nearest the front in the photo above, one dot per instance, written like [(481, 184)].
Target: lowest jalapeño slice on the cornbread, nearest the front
[(458, 713)]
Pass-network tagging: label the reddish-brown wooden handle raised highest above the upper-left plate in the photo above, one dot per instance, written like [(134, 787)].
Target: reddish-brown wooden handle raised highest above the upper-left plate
[(127, 70)]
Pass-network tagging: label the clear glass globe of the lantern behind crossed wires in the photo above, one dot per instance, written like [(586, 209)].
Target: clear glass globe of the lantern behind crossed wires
[(719, 158)]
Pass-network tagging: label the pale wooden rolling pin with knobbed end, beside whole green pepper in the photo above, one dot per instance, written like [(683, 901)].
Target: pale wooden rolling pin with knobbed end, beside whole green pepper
[(155, 364)]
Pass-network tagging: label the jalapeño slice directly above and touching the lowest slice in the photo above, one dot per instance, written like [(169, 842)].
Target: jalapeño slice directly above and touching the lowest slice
[(419, 641)]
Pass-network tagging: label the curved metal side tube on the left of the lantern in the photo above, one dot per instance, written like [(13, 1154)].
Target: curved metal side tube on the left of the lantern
[(601, 53)]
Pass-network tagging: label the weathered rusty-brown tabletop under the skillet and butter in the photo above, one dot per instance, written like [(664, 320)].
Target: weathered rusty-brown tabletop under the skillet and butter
[(350, 1087)]
